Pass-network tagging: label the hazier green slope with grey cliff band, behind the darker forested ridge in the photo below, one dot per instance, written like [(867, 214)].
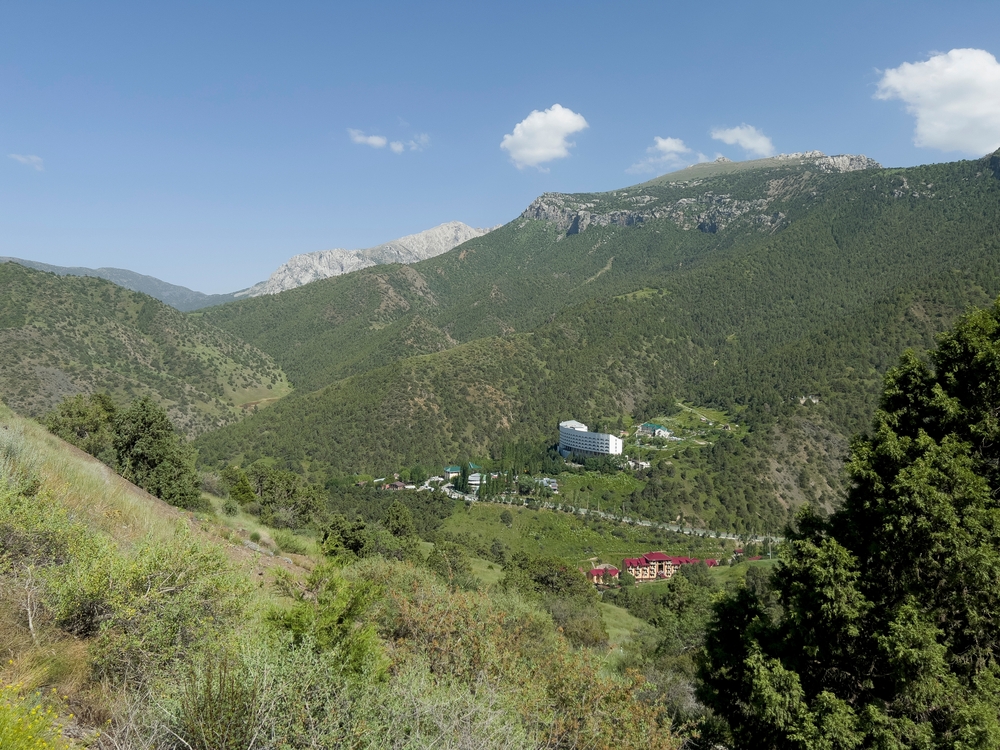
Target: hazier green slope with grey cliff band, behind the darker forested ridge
[(563, 249)]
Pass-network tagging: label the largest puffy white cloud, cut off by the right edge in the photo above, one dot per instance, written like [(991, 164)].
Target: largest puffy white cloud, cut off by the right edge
[(955, 97)]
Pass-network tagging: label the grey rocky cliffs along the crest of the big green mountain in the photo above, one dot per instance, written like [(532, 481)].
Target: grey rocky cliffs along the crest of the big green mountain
[(707, 212)]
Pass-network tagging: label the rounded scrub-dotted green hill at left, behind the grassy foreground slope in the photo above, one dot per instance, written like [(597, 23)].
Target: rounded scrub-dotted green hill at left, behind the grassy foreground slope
[(63, 335)]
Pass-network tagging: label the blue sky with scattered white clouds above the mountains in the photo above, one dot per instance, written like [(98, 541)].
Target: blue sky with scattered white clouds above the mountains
[(206, 143)]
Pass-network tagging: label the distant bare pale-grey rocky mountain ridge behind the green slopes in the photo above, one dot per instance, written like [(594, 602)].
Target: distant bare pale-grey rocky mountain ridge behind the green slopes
[(307, 267)]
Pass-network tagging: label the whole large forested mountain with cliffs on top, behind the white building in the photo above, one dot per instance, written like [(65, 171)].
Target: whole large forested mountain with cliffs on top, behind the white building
[(748, 290)]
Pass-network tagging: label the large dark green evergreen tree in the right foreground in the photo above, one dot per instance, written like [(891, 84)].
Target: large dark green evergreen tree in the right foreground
[(887, 634)]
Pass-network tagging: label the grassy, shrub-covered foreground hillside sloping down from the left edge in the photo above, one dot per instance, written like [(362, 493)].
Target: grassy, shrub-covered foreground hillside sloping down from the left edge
[(160, 636)]
